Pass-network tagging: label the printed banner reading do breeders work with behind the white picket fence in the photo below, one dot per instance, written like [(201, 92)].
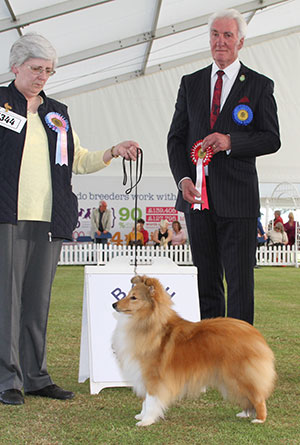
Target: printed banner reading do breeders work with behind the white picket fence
[(155, 201)]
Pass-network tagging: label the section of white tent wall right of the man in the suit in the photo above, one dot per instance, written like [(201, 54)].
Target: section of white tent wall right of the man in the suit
[(279, 59)]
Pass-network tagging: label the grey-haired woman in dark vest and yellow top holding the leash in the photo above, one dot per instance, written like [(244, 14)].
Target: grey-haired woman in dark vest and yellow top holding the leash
[(38, 210)]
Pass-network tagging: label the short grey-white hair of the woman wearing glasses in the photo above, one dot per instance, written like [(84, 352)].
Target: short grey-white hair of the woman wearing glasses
[(31, 46)]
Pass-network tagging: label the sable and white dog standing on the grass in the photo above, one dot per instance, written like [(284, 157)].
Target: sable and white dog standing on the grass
[(166, 357)]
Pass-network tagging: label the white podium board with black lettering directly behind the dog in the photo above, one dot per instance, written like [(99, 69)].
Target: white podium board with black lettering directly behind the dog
[(103, 285)]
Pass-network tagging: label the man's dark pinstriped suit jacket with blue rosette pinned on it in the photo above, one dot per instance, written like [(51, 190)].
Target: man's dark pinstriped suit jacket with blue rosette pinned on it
[(232, 178)]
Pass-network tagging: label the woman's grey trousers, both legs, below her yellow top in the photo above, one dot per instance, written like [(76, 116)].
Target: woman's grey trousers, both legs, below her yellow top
[(28, 263)]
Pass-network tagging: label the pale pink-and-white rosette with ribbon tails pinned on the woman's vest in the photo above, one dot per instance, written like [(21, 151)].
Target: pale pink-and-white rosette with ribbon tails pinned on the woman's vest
[(60, 125)]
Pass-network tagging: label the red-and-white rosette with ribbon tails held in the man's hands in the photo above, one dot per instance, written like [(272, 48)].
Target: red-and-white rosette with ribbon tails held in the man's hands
[(201, 159)]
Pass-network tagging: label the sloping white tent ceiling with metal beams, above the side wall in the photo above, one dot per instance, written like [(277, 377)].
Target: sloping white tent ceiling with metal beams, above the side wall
[(107, 41)]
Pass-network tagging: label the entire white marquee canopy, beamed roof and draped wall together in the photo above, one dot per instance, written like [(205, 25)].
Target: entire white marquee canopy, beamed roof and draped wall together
[(120, 64)]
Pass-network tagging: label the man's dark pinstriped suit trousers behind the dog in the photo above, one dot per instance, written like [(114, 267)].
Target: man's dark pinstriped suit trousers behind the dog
[(223, 245)]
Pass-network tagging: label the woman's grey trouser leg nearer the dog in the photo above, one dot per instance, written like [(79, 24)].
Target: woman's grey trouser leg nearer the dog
[(41, 268)]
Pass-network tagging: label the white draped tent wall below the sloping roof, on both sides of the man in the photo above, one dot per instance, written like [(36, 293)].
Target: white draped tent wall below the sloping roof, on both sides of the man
[(142, 109)]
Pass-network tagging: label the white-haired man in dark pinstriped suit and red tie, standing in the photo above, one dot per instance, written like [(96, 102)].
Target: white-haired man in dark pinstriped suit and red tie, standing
[(223, 233)]
